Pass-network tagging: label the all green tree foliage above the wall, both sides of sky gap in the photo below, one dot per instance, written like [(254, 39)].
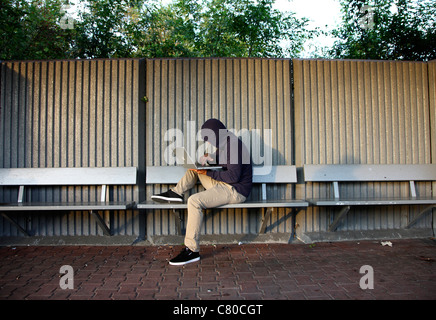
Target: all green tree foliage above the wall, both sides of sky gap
[(371, 29)]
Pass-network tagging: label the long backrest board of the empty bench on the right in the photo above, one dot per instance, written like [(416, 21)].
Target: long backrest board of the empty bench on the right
[(382, 172)]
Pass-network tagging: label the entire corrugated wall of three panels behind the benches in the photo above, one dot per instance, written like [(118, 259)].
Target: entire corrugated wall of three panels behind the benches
[(90, 113)]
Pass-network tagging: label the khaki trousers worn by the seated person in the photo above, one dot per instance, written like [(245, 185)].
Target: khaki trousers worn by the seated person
[(217, 193)]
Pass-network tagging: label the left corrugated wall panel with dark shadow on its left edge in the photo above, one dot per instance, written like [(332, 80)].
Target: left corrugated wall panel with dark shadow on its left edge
[(71, 114)]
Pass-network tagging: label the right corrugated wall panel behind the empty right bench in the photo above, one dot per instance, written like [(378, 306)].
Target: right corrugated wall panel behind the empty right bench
[(351, 112)]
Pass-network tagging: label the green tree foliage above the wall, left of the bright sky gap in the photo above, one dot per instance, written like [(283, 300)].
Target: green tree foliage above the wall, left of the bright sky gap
[(144, 28)]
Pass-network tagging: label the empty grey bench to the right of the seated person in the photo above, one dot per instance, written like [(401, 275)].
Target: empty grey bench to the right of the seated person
[(371, 173)]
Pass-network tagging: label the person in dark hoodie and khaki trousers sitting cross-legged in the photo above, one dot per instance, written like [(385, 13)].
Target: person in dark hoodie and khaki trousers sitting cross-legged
[(232, 184)]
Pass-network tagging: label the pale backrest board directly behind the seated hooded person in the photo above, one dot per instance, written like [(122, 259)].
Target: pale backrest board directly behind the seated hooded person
[(172, 174)]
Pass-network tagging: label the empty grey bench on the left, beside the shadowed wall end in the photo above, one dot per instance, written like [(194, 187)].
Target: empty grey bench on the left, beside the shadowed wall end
[(104, 177)]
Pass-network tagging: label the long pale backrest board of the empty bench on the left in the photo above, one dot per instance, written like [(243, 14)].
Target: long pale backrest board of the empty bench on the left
[(68, 176)]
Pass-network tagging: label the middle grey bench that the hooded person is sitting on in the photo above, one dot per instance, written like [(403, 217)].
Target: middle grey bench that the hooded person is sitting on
[(170, 175)]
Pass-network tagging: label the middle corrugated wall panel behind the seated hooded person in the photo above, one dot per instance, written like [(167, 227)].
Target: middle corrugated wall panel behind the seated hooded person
[(244, 94)]
